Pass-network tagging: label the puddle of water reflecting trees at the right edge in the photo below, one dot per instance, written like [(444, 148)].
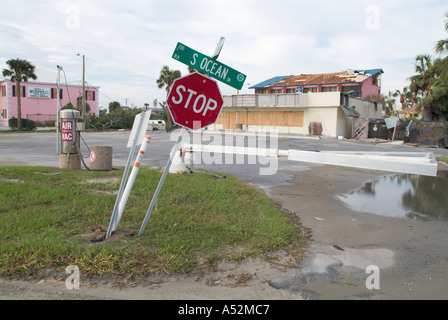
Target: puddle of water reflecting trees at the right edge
[(404, 196)]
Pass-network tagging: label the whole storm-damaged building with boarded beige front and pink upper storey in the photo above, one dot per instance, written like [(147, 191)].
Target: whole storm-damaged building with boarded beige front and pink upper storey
[(318, 105)]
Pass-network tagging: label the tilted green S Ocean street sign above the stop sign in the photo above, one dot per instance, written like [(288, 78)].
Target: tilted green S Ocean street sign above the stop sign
[(209, 66)]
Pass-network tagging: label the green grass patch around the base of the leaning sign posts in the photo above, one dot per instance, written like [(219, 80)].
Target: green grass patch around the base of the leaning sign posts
[(51, 218)]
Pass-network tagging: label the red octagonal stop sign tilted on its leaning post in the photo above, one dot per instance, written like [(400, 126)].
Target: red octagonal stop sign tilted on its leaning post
[(195, 101)]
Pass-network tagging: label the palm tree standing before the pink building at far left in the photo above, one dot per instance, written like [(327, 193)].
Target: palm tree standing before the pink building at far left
[(19, 70)]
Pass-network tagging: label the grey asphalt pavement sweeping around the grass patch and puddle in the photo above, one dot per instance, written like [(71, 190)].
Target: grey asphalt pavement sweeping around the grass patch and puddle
[(412, 255)]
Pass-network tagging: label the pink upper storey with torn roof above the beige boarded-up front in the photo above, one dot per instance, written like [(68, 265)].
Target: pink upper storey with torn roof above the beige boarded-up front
[(358, 83)]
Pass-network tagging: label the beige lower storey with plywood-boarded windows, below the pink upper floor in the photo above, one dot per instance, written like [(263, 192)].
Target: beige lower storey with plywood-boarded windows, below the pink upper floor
[(292, 113)]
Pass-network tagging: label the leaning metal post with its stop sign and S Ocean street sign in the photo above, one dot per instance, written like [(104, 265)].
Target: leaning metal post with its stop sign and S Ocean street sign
[(195, 101)]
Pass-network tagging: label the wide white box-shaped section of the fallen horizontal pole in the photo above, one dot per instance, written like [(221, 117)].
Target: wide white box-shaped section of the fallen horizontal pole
[(412, 163)]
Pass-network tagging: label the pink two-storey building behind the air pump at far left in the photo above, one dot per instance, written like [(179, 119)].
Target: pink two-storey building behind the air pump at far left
[(39, 100)]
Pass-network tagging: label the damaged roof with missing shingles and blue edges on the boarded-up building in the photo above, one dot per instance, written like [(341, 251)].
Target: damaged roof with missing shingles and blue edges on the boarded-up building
[(350, 76)]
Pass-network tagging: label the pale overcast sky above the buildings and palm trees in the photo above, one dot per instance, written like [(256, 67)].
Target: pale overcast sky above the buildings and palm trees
[(126, 43)]
